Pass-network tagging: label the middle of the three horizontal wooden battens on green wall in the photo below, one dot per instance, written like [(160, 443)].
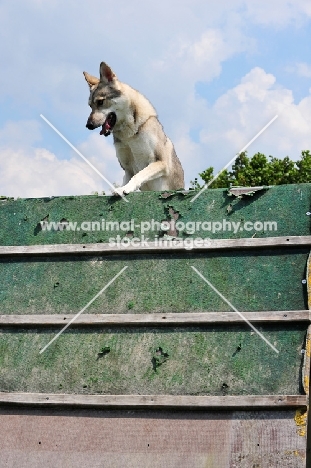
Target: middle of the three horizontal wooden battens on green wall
[(187, 318)]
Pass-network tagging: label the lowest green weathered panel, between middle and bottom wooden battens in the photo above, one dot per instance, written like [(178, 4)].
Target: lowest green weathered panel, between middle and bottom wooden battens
[(201, 361)]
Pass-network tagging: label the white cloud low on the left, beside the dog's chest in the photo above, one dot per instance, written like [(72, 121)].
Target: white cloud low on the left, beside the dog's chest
[(29, 171)]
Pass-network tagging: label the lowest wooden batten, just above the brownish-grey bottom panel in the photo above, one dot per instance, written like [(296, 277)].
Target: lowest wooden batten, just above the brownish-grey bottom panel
[(154, 401)]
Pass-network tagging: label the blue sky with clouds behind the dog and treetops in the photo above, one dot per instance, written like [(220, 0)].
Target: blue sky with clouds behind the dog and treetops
[(215, 73)]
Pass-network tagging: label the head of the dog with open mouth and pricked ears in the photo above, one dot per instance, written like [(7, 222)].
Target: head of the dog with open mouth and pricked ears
[(103, 100)]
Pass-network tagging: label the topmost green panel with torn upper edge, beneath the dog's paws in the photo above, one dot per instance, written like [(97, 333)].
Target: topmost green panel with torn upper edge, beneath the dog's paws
[(287, 205)]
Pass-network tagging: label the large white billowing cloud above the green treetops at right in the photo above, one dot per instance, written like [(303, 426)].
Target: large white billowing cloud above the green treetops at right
[(239, 114)]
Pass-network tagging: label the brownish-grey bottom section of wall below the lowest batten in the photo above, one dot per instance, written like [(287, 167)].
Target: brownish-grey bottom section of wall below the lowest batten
[(50, 438)]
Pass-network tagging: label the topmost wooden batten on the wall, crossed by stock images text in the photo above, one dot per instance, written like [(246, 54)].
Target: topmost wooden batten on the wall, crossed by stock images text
[(162, 245)]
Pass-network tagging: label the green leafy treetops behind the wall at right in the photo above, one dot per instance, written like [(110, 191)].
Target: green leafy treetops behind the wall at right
[(258, 170)]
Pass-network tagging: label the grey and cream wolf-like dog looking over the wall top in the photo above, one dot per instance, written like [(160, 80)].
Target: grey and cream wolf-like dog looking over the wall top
[(145, 153)]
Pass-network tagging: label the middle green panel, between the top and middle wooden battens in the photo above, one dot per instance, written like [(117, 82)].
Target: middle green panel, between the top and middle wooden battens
[(260, 280)]
